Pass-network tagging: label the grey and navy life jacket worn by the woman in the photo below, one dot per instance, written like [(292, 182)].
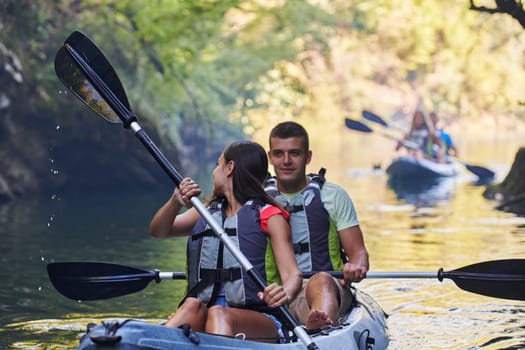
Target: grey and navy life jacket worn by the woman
[(211, 266)]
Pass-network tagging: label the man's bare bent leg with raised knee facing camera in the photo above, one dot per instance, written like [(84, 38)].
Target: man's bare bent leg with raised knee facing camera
[(324, 300)]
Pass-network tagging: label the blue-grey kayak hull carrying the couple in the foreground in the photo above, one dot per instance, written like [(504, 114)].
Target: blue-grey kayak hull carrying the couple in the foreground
[(363, 328)]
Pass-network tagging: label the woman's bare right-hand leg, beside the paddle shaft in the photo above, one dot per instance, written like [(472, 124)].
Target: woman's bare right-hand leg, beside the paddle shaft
[(231, 321)]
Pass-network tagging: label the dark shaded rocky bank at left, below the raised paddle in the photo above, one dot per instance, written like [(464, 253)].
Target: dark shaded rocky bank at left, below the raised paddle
[(50, 142)]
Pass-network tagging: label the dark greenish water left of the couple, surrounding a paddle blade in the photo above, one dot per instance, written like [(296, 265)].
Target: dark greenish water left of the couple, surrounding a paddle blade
[(99, 228)]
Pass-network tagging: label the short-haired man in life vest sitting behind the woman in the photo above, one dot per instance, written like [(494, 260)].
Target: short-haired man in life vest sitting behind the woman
[(325, 229)]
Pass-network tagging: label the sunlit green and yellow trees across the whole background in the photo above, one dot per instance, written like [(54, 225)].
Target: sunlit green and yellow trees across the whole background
[(205, 70)]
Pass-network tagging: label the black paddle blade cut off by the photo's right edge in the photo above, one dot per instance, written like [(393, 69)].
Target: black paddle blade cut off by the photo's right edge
[(499, 278)]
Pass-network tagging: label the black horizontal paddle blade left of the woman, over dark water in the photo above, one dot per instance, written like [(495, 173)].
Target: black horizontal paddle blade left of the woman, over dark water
[(94, 280)]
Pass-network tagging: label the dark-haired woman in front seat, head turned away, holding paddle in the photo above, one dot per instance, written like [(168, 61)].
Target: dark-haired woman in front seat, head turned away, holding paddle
[(221, 298)]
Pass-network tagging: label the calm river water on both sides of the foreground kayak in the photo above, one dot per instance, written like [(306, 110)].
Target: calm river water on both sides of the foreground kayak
[(448, 226)]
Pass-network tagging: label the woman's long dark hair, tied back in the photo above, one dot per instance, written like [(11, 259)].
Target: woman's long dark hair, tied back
[(249, 172)]
